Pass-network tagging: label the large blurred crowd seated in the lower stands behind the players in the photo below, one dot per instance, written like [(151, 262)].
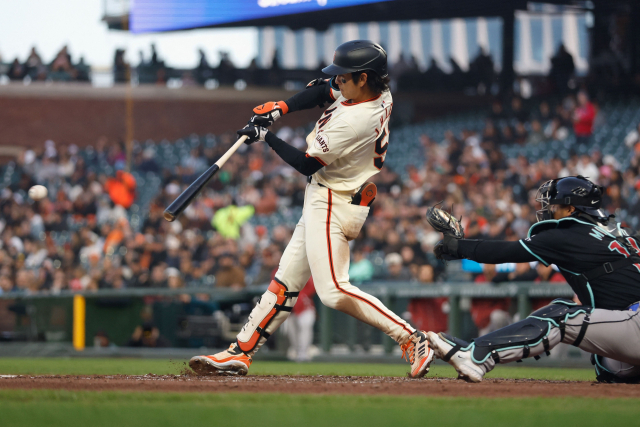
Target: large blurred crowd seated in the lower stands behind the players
[(92, 233)]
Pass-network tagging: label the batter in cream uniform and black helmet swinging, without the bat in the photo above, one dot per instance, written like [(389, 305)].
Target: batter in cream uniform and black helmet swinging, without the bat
[(347, 146)]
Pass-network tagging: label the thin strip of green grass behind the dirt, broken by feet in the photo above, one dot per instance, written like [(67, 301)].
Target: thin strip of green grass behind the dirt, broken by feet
[(111, 366)]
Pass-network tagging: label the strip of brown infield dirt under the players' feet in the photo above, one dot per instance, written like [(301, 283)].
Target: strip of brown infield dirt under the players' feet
[(318, 384)]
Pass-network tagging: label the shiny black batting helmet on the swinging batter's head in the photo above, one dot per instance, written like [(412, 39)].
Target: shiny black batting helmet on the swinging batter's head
[(358, 55)]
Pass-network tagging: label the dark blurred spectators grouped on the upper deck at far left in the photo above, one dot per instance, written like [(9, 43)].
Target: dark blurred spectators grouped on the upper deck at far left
[(61, 68)]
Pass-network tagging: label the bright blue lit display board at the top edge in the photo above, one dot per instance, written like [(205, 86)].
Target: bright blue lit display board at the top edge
[(166, 15)]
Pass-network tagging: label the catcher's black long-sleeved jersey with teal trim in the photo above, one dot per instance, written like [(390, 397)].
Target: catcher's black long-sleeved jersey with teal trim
[(576, 247)]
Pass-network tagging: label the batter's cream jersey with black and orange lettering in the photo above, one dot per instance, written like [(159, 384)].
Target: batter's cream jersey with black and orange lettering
[(350, 141)]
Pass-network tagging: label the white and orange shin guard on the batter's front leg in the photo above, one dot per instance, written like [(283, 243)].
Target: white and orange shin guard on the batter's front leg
[(277, 298)]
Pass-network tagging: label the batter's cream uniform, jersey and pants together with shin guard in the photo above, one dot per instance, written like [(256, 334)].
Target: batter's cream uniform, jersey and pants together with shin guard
[(350, 140)]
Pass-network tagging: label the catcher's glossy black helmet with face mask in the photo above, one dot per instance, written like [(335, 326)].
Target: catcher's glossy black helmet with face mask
[(576, 191)]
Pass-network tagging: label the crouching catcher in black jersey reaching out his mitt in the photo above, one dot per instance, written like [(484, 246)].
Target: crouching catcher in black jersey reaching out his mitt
[(598, 258)]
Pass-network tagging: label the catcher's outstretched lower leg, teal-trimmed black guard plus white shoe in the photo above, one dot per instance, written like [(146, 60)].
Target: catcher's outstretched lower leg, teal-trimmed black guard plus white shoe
[(537, 334)]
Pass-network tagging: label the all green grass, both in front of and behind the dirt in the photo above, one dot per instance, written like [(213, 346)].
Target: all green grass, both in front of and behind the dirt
[(122, 409)]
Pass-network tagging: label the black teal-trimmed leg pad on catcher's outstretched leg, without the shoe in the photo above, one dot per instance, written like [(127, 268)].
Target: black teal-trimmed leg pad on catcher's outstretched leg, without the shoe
[(538, 333)]
